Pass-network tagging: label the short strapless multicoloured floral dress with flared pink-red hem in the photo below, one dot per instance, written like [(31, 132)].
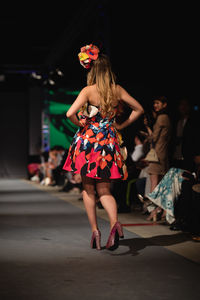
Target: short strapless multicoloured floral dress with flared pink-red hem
[(95, 149)]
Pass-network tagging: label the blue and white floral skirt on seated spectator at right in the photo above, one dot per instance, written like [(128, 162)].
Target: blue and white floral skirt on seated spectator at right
[(167, 191)]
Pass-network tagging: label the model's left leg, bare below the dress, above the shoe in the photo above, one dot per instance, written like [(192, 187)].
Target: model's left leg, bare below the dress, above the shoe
[(90, 201)]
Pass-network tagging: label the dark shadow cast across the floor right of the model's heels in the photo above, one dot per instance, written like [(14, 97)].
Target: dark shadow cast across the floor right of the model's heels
[(135, 245)]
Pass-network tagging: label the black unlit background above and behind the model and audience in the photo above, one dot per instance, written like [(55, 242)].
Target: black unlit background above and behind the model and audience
[(153, 51)]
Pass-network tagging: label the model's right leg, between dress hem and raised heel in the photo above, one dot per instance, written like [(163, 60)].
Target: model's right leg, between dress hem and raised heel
[(107, 200)]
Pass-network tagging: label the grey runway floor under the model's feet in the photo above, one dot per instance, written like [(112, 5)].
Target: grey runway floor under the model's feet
[(45, 252)]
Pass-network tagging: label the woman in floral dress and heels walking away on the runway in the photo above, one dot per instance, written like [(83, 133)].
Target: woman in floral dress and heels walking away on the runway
[(95, 149)]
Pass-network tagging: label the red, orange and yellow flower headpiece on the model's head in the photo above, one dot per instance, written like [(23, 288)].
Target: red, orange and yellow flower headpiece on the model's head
[(87, 55)]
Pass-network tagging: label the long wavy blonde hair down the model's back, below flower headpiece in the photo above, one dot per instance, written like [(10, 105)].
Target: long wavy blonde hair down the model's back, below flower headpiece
[(105, 80)]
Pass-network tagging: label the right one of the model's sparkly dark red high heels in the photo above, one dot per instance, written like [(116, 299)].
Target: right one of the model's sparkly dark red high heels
[(115, 234)]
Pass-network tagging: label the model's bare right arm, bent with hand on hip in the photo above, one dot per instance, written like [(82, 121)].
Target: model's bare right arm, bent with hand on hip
[(137, 109)]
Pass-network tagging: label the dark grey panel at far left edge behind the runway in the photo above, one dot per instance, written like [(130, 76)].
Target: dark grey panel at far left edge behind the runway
[(14, 134)]
